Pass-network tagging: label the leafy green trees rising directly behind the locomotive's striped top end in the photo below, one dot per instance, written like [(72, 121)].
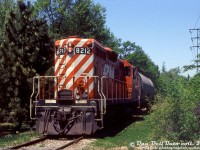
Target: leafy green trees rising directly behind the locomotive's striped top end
[(81, 17)]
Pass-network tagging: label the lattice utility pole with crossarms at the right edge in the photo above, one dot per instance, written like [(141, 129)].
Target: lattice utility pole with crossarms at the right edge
[(197, 45)]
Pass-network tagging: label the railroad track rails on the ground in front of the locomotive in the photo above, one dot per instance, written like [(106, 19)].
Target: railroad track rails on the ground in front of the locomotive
[(43, 139)]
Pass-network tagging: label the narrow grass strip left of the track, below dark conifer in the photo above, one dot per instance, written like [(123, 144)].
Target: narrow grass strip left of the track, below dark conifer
[(14, 139)]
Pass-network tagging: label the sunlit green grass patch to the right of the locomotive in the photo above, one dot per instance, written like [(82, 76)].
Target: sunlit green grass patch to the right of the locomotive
[(137, 131)]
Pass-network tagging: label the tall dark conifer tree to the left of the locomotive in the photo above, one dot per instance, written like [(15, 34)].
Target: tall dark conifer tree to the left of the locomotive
[(26, 51)]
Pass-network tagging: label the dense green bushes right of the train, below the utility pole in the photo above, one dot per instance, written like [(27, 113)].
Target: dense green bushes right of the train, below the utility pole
[(176, 116)]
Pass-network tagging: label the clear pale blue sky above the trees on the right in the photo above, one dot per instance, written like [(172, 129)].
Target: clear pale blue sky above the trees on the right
[(160, 27)]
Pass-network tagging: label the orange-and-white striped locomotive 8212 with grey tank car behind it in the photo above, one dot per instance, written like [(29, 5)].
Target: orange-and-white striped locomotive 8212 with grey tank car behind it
[(88, 79)]
